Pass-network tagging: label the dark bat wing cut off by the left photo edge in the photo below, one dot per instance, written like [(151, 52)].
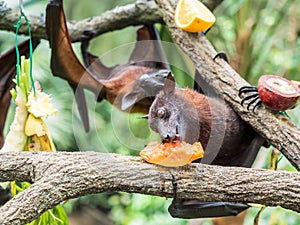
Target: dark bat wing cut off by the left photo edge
[(7, 73)]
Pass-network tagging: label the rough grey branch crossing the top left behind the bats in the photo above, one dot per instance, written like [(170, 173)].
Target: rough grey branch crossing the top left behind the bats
[(139, 13)]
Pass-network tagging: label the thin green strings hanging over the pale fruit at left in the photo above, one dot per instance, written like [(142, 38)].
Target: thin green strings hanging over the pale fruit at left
[(17, 26)]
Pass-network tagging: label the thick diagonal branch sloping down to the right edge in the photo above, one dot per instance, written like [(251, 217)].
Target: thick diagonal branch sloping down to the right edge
[(276, 129)]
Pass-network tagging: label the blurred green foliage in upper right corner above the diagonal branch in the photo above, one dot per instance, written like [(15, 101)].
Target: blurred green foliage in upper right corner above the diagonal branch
[(260, 37)]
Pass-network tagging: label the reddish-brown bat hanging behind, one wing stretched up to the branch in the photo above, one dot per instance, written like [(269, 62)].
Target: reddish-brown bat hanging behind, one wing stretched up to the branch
[(130, 87)]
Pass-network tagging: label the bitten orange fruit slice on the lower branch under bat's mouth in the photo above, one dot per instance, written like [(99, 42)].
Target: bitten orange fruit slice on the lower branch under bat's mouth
[(172, 154)]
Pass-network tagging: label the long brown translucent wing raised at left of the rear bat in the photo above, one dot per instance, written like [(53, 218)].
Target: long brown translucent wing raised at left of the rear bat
[(64, 62)]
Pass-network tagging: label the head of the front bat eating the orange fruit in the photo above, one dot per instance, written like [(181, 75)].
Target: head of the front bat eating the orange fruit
[(173, 114)]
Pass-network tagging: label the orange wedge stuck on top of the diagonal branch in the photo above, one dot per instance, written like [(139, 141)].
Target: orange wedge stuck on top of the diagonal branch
[(193, 16)]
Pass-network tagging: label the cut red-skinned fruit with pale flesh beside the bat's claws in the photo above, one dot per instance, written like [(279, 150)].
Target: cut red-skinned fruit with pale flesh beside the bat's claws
[(278, 93)]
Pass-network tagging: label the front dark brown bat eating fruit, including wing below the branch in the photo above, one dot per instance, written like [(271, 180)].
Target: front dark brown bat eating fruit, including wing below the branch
[(186, 115)]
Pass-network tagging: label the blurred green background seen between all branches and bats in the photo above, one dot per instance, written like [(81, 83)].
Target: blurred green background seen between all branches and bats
[(259, 37)]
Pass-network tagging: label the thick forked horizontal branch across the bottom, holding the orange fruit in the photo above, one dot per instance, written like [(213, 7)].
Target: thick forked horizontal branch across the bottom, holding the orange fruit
[(61, 176)]
